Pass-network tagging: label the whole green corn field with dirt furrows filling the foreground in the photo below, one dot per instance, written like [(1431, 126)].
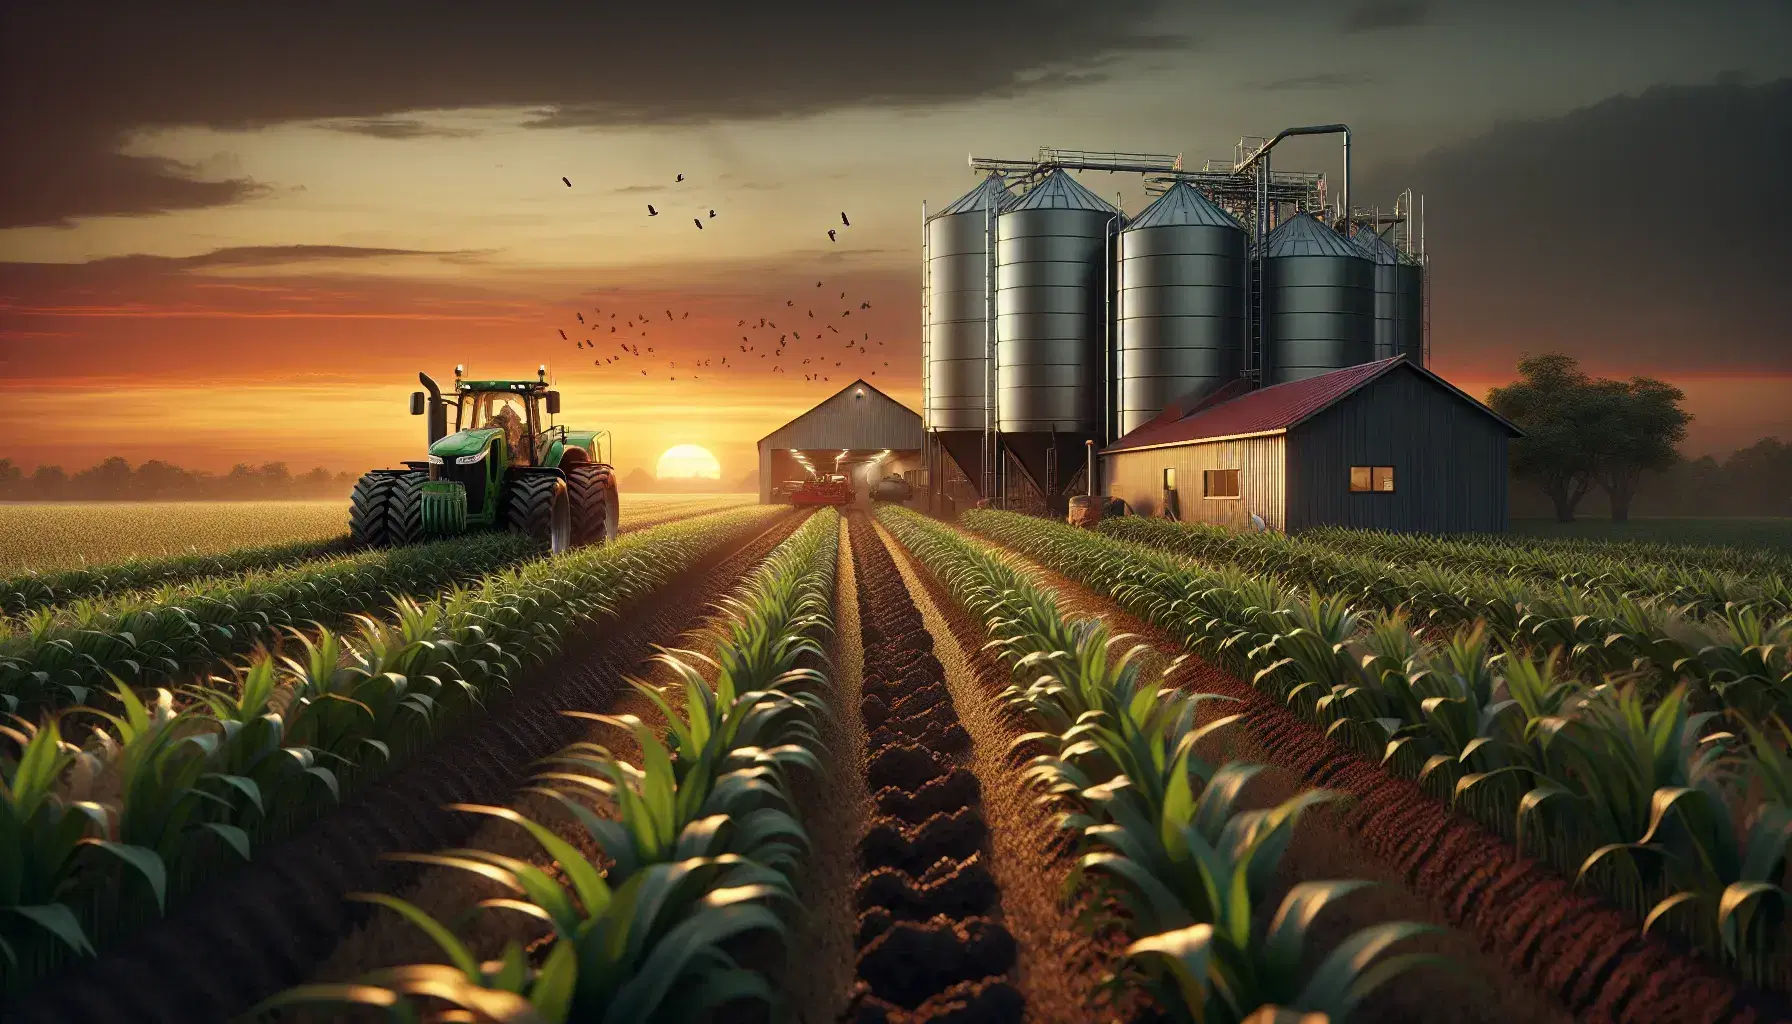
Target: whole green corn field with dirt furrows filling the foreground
[(773, 765)]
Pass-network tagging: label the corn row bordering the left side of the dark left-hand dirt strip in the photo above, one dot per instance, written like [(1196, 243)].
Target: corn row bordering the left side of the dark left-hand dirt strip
[(198, 786)]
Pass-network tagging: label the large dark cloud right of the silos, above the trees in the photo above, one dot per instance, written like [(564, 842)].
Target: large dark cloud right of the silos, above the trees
[(1641, 230)]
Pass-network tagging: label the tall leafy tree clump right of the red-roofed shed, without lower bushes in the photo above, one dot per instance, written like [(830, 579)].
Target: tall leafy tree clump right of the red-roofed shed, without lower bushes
[(1583, 433)]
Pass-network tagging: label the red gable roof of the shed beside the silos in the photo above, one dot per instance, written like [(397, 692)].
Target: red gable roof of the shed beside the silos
[(1280, 408)]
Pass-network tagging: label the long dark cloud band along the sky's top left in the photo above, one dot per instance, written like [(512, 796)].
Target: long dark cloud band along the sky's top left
[(78, 76)]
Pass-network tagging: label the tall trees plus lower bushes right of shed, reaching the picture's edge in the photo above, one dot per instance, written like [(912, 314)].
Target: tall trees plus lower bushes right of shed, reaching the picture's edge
[(1617, 442)]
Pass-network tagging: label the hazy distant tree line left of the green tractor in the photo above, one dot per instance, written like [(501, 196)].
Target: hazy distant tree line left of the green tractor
[(114, 480)]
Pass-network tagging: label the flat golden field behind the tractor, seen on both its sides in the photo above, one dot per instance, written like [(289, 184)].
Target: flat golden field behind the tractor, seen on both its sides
[(62, 535)]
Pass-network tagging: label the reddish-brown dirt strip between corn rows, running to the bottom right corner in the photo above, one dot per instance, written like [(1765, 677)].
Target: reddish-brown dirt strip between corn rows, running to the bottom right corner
[(1576, 950)]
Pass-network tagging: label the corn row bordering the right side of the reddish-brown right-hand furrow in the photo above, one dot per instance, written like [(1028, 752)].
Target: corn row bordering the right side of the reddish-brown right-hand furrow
[(1675, 815)]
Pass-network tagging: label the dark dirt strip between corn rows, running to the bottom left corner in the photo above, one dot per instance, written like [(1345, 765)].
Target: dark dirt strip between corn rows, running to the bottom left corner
[(266, 926)]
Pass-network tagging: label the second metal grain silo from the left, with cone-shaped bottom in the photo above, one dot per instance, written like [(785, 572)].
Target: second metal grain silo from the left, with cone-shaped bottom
[(1053, 277)]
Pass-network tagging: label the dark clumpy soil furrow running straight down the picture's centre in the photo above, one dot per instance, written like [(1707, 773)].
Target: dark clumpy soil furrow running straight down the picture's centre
[(931, 941)]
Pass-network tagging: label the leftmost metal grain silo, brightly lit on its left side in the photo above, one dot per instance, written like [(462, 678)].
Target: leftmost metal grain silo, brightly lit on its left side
[(956, 277)]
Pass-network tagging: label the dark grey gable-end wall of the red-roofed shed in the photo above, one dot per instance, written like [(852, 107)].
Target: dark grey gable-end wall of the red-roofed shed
[(1449, 462)]
